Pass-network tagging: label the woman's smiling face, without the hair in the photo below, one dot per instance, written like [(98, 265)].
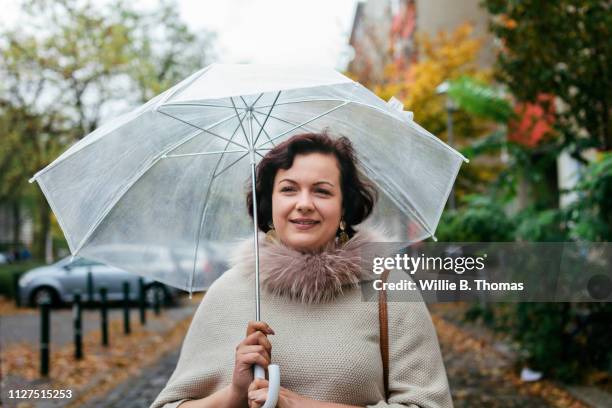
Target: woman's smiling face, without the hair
[(307, 201)]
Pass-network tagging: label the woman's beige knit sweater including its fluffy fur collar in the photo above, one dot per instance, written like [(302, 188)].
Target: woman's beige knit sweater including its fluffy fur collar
[(327, 337)]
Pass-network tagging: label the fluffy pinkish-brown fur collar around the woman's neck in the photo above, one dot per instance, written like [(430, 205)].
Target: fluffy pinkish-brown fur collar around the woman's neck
[(308, 277)]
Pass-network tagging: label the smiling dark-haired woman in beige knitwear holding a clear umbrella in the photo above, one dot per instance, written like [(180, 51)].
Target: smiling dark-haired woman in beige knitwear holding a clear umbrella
[(324, 337)]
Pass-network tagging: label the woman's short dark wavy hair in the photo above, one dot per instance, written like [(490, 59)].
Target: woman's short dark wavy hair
[(358, 194)]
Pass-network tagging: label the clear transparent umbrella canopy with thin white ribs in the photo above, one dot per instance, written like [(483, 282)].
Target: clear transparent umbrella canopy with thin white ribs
[(170, 177)]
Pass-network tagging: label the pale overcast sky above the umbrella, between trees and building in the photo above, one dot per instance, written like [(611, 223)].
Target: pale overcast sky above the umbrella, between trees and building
[(266, 31)]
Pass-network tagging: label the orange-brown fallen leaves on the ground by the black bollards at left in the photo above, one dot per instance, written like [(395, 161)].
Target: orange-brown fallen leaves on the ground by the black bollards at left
[(101, 368)]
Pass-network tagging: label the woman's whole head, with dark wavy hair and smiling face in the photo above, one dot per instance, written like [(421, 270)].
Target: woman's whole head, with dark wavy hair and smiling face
[(309, 191)]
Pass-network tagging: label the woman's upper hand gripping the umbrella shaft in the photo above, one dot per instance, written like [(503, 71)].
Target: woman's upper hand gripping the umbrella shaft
[(254, 349)]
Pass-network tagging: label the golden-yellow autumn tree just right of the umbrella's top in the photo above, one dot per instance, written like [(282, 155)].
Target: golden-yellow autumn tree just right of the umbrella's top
[(445, 57)]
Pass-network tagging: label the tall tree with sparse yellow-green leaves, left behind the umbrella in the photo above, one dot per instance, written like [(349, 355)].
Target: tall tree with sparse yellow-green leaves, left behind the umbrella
[(70, 64)]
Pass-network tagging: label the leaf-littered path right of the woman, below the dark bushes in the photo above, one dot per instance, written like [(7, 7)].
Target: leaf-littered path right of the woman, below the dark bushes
[(481, 370)]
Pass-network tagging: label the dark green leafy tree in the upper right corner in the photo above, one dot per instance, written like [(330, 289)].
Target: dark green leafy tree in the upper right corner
[(560, 48)]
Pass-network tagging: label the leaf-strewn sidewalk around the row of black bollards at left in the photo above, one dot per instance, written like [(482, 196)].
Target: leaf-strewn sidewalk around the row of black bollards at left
[(102, 368)]
